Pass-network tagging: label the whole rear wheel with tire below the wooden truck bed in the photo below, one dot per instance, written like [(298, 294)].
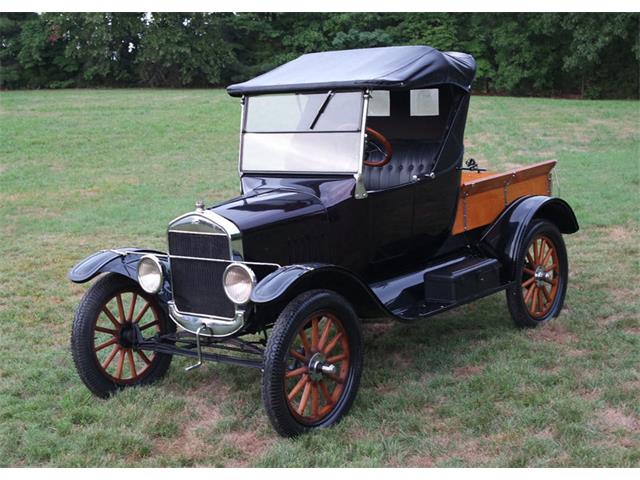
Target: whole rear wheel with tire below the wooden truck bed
[(541, 276)]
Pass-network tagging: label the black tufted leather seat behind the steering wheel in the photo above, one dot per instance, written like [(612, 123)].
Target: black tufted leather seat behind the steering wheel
[(409, 158)]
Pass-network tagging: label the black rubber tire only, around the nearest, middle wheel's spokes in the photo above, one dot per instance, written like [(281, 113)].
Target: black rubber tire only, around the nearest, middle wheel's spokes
[(284, 330)]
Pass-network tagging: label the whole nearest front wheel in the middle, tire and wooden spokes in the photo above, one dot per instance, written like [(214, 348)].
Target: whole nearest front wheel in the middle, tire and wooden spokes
[(312, 363)]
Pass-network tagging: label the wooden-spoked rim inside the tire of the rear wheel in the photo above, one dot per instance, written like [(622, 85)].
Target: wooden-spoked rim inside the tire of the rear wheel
[(540, 276)]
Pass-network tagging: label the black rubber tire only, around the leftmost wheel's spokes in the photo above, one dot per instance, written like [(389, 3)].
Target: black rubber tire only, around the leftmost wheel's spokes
[(82, 333)]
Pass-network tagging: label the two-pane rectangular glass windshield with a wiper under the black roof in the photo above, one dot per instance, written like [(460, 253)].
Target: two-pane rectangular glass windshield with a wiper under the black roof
[(303, 133)]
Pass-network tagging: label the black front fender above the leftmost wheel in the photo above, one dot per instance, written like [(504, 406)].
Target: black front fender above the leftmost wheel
[(118, 260)]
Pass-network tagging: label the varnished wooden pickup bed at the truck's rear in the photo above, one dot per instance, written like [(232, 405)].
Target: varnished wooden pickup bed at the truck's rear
[(484, 195)]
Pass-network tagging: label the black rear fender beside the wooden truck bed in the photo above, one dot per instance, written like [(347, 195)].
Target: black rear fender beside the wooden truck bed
[(504, 237)]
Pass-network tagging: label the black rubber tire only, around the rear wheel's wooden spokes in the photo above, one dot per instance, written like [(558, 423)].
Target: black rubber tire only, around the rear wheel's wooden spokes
[(515, 301)]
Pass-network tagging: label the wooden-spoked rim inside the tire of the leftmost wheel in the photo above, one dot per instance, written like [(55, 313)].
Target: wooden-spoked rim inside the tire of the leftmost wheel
[(114, 332)]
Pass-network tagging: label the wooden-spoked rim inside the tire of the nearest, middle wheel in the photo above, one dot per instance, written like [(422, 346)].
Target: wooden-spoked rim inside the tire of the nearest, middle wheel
[(317, 368)]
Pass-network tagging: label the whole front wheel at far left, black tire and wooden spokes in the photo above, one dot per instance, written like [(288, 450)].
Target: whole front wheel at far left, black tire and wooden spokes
[(111, 315)]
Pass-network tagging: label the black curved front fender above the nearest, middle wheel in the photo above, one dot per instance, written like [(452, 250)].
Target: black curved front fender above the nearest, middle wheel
[(284, 284)]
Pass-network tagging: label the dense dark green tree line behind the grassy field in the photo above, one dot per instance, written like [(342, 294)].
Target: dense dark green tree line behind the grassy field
[(547, 54)]
